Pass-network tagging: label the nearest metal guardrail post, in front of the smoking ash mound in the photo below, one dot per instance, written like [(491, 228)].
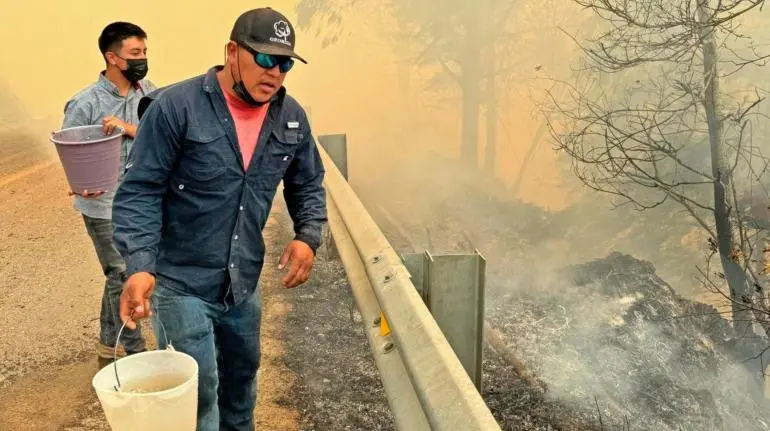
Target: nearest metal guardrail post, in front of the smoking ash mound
[(452, 287)]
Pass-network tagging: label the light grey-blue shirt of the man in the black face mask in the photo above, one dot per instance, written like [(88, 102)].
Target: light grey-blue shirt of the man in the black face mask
[(90, 106)]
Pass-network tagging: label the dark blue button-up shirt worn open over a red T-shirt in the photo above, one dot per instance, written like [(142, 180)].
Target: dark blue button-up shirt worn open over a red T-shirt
[(187, 211)]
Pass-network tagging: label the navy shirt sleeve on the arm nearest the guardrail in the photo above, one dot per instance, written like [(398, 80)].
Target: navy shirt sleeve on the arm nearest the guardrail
[(304, 193)]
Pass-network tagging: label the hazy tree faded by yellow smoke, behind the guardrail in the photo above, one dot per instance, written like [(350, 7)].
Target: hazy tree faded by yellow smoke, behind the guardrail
[(474, 46)]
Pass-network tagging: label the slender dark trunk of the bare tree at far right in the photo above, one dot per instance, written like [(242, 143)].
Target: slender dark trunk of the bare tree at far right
[(720, 168)]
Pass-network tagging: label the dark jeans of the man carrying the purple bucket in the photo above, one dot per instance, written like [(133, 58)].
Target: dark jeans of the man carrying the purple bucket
[(114, 268)]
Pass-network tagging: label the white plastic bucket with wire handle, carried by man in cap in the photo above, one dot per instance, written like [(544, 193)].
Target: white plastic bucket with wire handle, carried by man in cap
[(158, 390)]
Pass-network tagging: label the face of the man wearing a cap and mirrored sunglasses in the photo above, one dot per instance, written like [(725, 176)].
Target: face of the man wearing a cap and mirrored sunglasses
[(261, 83)]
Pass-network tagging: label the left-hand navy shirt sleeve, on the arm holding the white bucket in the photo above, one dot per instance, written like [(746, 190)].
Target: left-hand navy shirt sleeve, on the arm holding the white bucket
[(137, 213)]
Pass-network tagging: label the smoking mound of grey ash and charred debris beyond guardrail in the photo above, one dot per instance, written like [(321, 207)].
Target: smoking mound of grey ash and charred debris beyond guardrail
[(612, 332)]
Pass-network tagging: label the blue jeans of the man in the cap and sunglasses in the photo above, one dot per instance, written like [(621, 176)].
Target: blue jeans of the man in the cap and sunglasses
[(224, 340)]
